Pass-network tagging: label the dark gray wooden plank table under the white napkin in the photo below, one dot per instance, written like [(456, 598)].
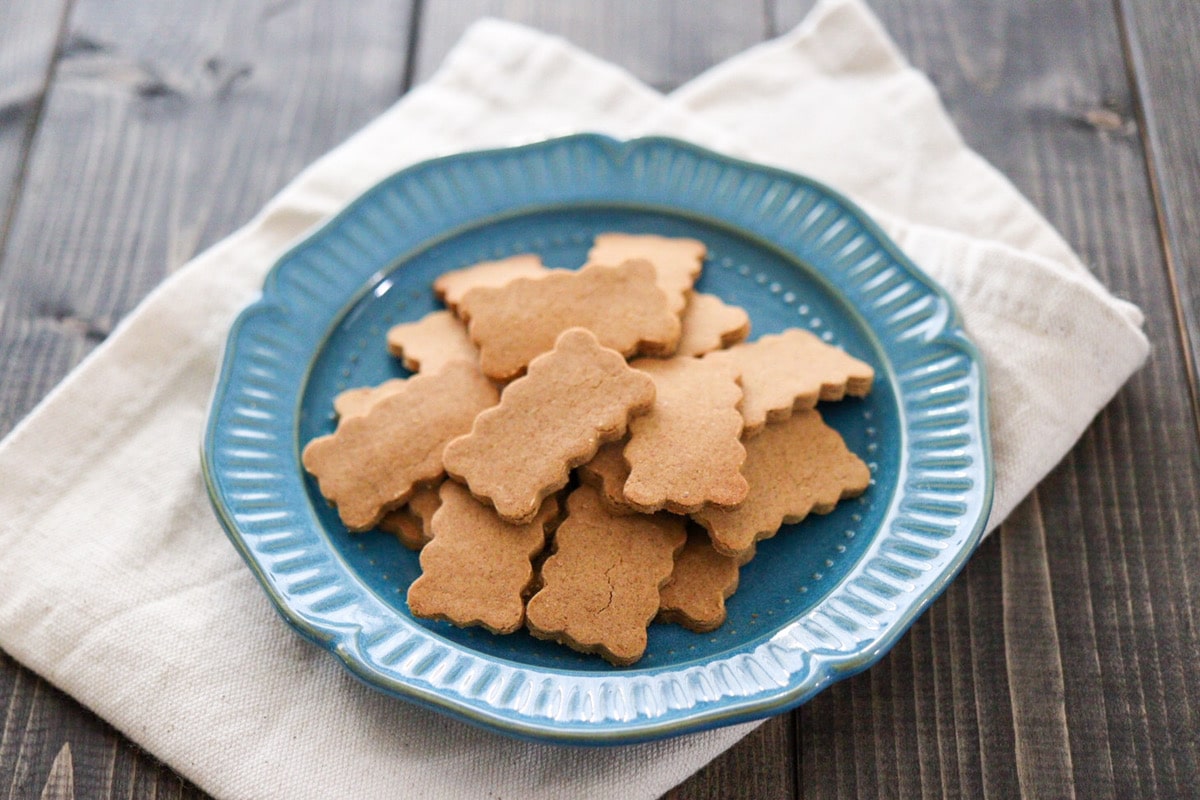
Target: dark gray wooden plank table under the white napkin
[(1064, 661)]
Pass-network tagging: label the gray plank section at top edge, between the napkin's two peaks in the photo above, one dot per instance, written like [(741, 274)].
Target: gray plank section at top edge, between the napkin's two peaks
[(663, 44)]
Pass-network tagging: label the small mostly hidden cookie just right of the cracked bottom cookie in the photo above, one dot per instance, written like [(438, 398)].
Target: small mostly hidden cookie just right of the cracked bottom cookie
[(701, 582)]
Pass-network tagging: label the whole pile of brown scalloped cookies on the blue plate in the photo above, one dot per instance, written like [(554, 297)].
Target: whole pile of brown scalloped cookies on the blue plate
[(583, 452)]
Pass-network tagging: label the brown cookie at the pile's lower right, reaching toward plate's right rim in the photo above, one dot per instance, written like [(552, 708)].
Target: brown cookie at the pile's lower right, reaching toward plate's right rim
[(795, 468)]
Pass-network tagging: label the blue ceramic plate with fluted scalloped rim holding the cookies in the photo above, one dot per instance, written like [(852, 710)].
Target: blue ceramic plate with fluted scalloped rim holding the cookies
[(821, 601)]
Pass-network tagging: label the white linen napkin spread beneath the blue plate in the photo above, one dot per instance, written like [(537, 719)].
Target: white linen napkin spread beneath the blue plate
[(121, 587)]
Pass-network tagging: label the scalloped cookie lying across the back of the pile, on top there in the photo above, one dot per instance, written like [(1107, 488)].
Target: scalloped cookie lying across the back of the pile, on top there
[(622, 305)]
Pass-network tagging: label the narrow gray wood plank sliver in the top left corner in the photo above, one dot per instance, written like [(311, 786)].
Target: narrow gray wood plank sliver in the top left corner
[(29, 38)]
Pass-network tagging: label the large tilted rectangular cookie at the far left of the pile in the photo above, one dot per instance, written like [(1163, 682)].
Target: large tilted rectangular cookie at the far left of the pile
[(370, 465)]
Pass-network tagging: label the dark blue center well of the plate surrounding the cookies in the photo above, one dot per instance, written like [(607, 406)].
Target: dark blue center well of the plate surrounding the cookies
[(791, 572)]
